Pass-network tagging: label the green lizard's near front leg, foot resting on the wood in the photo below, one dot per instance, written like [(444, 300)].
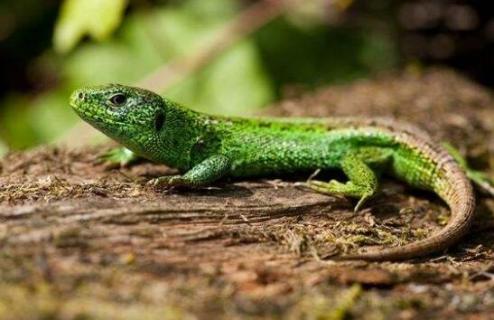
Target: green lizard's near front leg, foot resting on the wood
[(208, 171)]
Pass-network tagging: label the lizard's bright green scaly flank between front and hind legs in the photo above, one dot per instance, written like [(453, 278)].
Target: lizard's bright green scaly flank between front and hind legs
[(264, 153)]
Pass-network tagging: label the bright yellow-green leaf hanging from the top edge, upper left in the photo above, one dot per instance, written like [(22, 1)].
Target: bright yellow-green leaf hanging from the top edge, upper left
[(96, 18)]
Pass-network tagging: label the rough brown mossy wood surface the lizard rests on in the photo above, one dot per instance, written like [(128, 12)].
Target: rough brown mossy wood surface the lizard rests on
[(81, 241)]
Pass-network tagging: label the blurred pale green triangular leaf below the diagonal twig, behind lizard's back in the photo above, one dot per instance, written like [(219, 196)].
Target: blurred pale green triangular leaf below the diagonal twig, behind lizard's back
[(234, 84)]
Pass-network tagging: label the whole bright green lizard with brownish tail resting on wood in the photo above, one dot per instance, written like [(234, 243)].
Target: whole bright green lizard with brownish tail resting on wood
[(206, 148)]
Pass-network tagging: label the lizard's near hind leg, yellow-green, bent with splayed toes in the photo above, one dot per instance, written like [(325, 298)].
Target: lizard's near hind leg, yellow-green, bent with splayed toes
[(363, 180)]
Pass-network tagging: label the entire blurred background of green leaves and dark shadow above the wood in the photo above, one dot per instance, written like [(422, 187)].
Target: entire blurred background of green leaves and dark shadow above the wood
[(49, 47)]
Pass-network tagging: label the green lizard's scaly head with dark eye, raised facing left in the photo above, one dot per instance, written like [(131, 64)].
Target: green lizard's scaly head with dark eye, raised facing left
[(132, 116)]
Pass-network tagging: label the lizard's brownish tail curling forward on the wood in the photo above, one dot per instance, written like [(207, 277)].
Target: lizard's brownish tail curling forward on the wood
[(456, 190)]
